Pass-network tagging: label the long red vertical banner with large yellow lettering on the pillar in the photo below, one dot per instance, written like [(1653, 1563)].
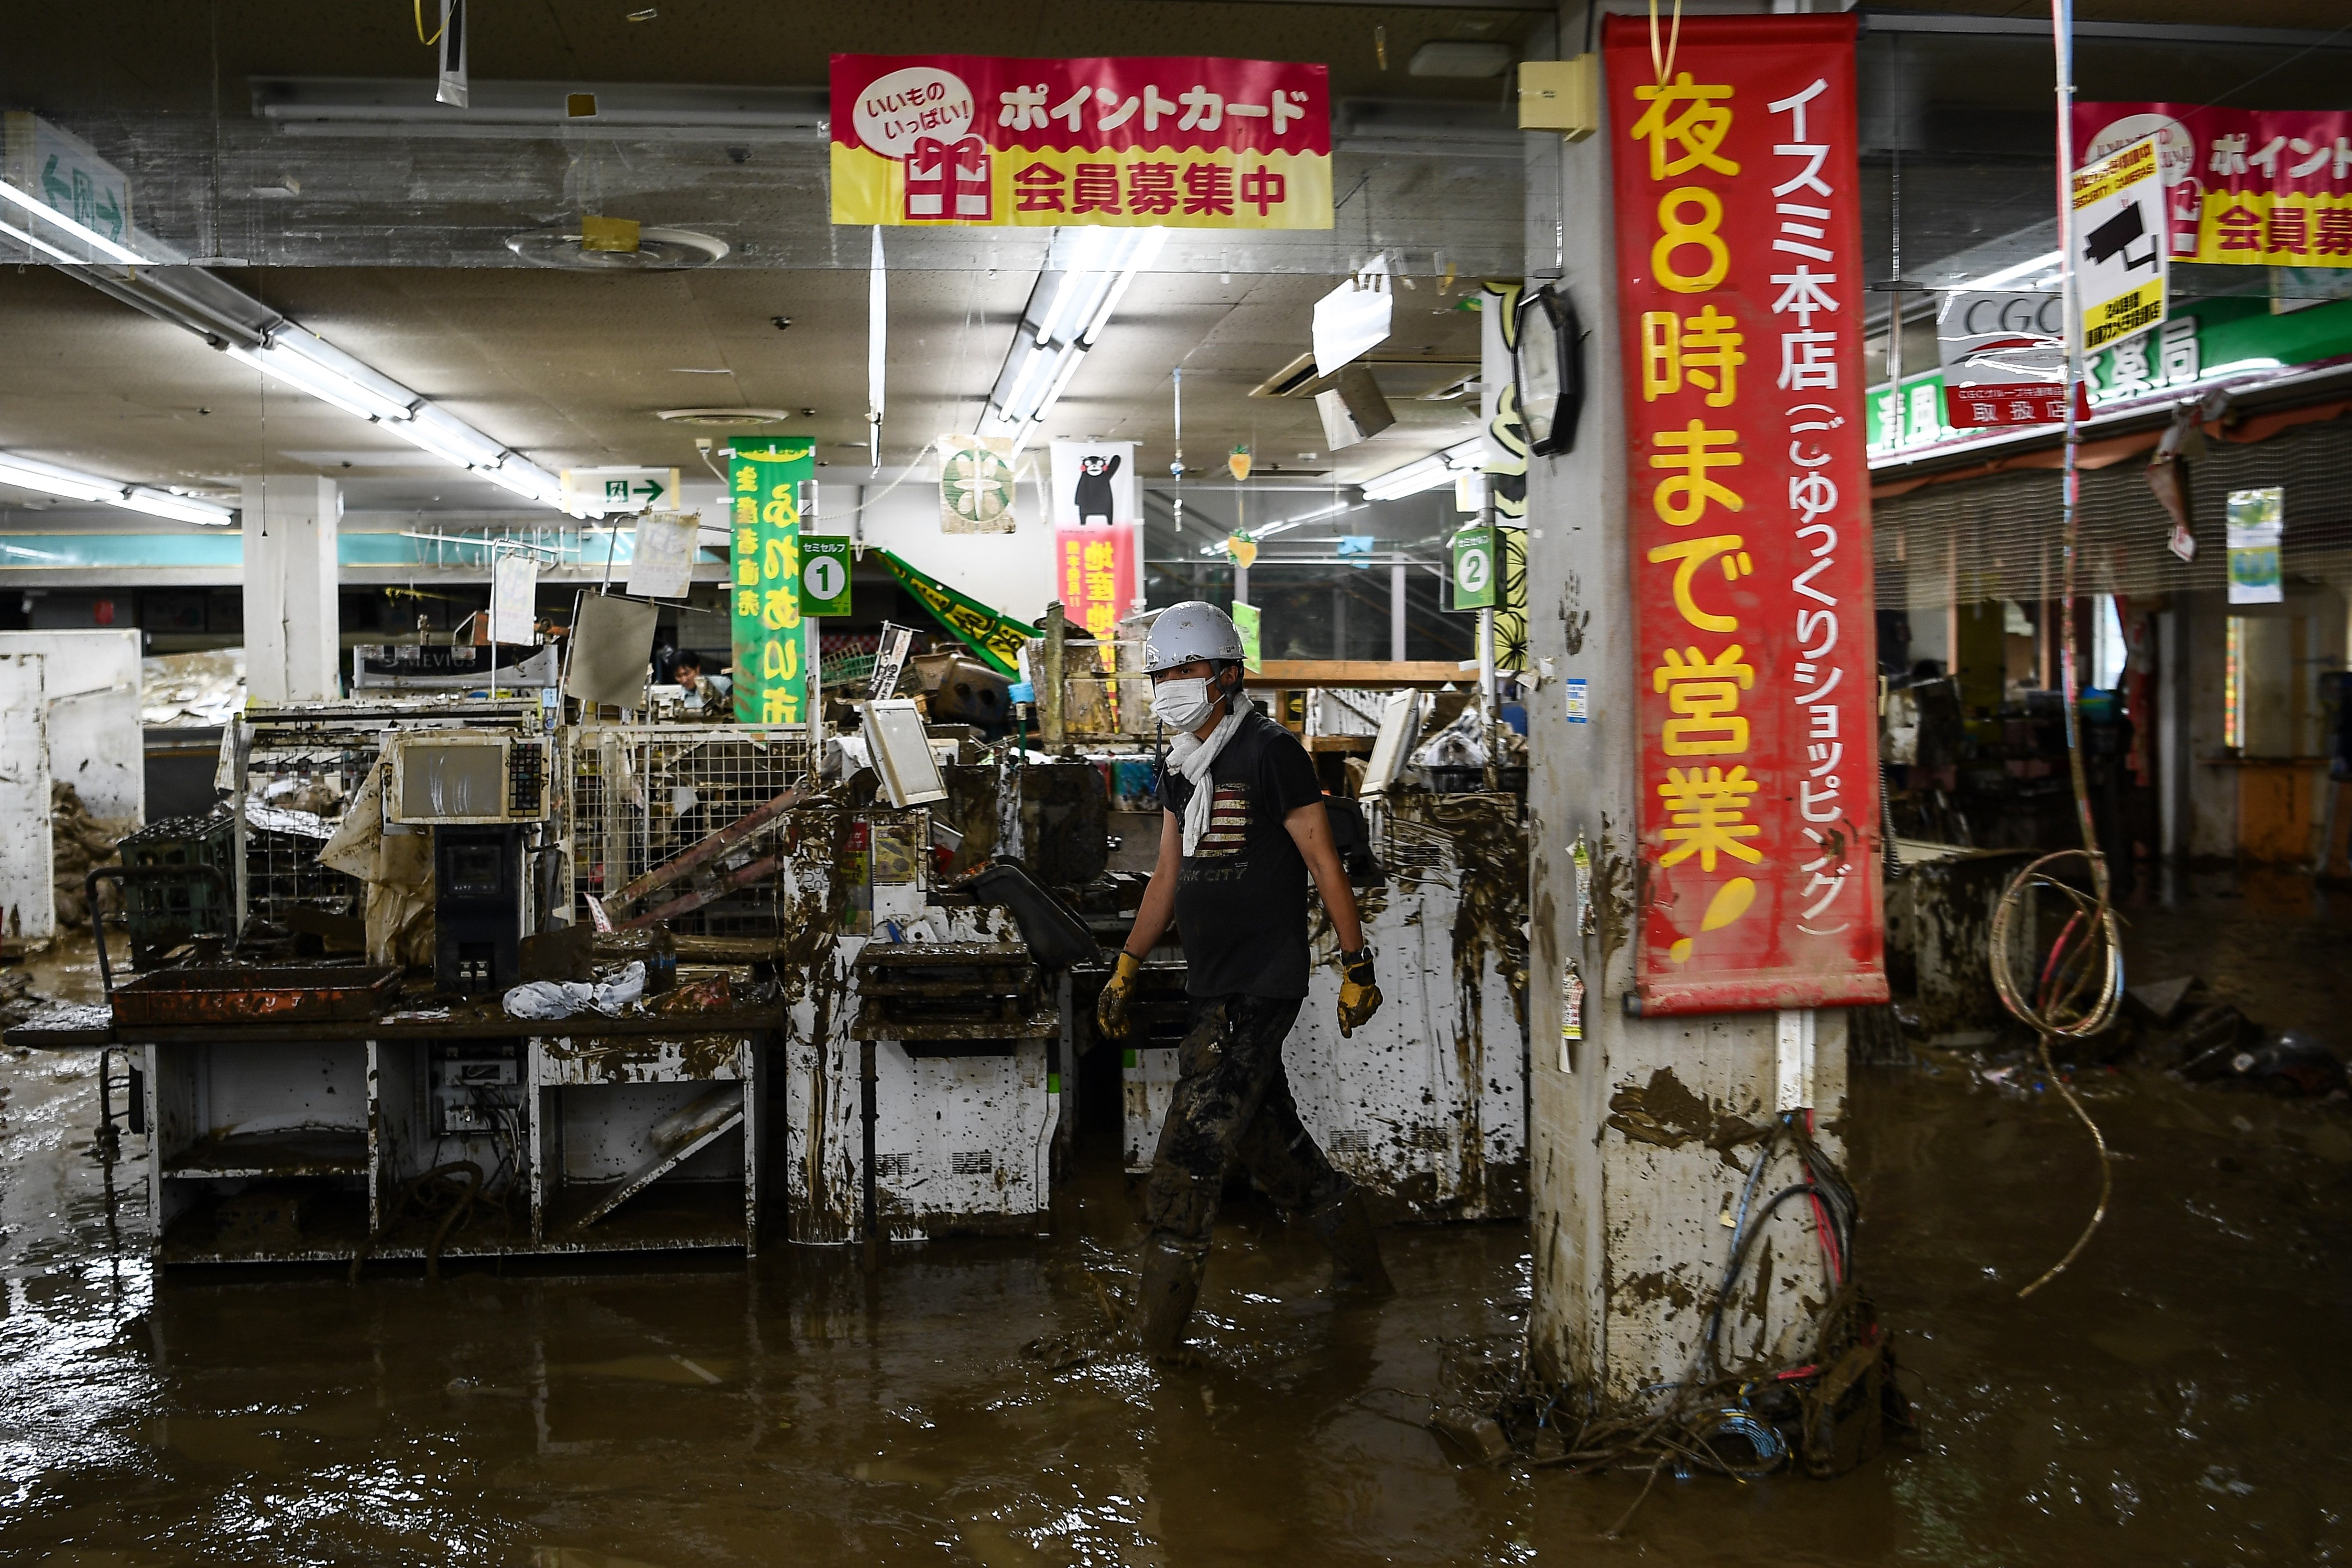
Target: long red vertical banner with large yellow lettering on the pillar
[(1742, 314)]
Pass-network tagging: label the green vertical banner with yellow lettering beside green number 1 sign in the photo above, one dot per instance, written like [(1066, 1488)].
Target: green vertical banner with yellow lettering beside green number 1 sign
[(770, 638)]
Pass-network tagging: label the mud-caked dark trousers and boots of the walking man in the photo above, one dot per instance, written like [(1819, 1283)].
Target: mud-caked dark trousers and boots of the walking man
[(1234, 1104)]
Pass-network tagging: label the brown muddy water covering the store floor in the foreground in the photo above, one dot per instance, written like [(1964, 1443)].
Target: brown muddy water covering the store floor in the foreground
[(2181, 1398)]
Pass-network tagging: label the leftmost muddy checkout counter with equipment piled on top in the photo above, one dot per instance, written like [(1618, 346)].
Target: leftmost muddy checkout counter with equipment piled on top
[(307, 1104)]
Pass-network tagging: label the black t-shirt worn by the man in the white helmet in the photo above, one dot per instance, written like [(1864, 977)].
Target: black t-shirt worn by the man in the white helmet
[(1243, 892)]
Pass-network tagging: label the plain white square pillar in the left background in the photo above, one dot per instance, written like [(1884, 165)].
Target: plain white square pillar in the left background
[(293, 631)]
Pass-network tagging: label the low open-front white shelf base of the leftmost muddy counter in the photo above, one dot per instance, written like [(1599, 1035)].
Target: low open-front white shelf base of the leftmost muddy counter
[(321, 1144)]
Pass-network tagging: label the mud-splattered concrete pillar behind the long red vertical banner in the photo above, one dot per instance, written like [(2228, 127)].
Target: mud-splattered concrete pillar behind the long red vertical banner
[(1629, 1195)]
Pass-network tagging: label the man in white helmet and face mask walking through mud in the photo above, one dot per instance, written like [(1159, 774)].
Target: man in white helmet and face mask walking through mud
[(1243, 829)]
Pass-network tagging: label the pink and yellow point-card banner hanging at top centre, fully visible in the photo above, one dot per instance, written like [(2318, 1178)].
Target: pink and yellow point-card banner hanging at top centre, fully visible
[(1165, 142)]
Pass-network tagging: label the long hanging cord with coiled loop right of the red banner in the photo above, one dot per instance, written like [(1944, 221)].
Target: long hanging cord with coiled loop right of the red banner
[(2083, 979)]
